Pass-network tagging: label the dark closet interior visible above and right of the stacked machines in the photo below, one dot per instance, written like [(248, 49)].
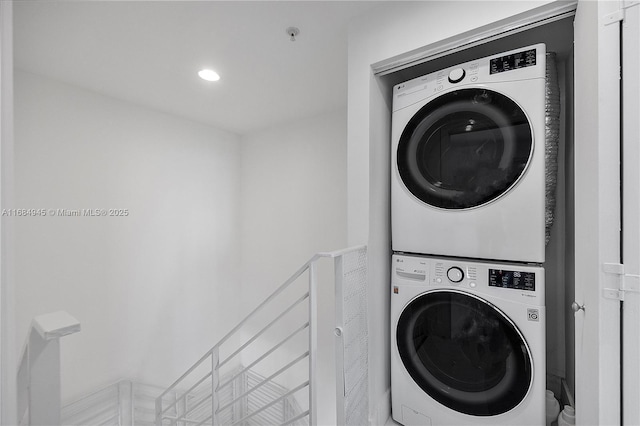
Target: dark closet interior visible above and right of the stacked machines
[(557, 34)]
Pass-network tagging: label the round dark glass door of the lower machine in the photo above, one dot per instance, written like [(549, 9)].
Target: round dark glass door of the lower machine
[(464, 353)]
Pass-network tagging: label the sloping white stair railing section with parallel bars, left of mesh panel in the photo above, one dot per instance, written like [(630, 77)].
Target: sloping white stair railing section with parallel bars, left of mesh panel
[(204, 396)]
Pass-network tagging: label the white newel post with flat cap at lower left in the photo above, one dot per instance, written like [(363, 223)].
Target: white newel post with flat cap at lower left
[(38, 378)]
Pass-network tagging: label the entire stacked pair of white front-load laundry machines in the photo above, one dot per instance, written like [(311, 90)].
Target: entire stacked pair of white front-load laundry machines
[(468, 236)]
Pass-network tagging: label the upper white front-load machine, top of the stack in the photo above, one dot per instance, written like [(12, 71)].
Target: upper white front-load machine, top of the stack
[(468, 161)]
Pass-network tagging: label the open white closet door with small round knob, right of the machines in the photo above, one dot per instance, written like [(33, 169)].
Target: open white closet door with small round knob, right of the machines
[(597, 206)]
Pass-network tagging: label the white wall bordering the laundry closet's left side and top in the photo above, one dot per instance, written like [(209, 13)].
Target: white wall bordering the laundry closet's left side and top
[(388, 31)]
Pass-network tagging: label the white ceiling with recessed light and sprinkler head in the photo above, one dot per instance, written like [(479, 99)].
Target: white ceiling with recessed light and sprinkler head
[(149, 52)]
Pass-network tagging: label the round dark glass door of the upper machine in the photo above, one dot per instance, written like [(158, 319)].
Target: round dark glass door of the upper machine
[(464, 149)]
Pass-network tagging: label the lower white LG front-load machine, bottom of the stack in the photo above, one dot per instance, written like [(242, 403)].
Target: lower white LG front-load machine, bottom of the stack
[(467, 342)]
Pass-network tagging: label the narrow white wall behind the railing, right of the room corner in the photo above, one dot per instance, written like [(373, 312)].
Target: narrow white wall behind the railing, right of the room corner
[(293, 206)]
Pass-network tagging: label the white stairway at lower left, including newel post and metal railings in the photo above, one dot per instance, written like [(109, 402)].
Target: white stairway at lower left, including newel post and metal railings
[(263, 372)]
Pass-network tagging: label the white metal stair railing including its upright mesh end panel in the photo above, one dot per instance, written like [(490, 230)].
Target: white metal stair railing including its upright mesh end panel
[(279, 338)]
